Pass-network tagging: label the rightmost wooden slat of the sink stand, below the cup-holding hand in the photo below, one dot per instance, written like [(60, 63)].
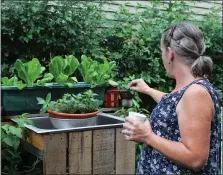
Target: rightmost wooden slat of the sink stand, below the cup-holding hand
[(125, 154)]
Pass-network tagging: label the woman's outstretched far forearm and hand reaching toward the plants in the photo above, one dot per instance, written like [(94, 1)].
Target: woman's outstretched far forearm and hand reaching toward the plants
[(140, 86)]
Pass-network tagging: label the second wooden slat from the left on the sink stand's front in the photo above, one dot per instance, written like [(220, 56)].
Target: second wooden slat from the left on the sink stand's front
[(80, 147)]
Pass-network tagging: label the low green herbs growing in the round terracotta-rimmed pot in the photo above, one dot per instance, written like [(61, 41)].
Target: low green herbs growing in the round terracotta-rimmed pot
[(73, 104)]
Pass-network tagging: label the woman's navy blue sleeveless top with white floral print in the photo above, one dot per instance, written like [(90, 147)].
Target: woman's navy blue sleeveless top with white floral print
[(164, 123)]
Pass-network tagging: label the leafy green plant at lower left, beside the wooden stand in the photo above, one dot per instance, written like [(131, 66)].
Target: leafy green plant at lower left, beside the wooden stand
[(10, 141)]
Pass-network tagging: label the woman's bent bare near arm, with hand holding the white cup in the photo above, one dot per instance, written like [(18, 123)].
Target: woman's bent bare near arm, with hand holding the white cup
[(195, 112)]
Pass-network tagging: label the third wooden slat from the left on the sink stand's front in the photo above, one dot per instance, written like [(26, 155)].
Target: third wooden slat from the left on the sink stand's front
[(103, 151)]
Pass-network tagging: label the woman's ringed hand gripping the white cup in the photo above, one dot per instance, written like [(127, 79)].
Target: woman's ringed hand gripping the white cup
[(139, 132)]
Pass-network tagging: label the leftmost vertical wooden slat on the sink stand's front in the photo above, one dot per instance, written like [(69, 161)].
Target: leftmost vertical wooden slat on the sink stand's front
[(54, 153)]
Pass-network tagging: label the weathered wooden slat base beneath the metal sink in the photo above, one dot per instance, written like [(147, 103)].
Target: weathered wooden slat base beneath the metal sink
[(103, 151)]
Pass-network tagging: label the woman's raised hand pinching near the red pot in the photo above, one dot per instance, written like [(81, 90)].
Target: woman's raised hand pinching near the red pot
[(139, 85)]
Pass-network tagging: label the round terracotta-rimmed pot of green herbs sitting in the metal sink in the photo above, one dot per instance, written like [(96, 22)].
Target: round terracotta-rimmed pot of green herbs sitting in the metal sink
[(71, 109)]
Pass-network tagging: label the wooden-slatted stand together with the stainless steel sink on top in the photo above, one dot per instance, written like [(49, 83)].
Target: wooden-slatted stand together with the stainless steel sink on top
[(81, 146)]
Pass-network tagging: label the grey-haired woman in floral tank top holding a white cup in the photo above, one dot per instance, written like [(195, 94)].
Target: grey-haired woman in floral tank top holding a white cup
[(182, 136)]
